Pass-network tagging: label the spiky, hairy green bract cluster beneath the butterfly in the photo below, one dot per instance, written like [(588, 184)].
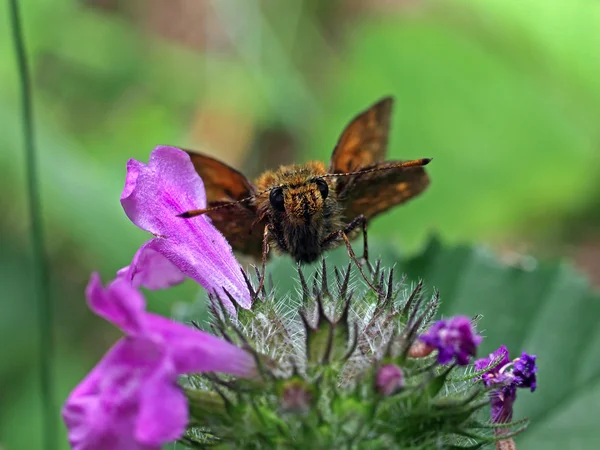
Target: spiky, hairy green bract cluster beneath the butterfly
[(319, 354)]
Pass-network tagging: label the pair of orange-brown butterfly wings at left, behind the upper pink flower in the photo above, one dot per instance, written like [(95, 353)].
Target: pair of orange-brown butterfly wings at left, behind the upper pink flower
[(239, 223)]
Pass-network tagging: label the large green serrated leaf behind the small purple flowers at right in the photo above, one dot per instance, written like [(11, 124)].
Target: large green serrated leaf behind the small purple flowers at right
[(547, 310)]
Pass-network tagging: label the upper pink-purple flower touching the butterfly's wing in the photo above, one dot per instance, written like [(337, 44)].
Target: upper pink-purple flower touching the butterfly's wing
[(153, 196)]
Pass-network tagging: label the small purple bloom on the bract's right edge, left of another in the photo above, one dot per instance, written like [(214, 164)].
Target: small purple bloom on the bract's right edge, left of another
[(453, 338)]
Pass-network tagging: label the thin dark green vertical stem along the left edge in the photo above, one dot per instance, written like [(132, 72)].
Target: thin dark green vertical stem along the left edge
[(40, 268)]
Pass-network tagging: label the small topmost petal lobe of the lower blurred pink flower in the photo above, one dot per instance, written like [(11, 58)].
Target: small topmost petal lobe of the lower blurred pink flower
[(119, 303)]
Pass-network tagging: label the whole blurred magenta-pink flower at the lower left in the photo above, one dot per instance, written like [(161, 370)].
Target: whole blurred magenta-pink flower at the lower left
[(131, 400)]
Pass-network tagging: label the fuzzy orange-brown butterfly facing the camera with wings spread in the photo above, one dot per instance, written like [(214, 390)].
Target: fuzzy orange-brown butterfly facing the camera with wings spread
[(306, 209)]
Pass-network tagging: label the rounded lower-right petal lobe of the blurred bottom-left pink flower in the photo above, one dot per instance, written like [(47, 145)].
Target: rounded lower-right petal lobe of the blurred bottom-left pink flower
[(163, 410)]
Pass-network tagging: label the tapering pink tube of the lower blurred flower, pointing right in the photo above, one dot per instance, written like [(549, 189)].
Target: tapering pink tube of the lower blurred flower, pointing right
[(195, 351)]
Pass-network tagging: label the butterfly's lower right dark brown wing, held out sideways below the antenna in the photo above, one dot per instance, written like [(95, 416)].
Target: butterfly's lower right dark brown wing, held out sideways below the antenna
[(373, 193)]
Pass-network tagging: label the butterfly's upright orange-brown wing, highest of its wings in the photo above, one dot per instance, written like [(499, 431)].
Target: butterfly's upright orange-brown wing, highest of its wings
[(364, 141)]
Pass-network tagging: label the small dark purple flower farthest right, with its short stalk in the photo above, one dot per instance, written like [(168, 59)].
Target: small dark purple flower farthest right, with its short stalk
[(506, 376)]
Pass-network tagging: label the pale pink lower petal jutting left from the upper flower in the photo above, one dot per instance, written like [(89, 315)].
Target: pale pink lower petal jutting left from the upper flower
[(151, 270)]
